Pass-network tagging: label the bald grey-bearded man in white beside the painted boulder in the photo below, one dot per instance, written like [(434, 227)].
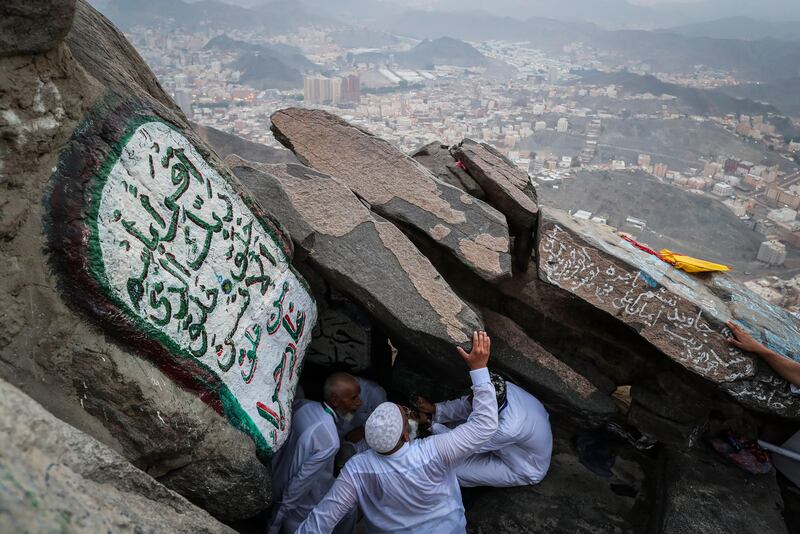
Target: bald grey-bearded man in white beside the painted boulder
[(303, 469)]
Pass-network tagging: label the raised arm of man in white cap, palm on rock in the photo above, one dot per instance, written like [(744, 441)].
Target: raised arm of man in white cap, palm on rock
[(465, 439)]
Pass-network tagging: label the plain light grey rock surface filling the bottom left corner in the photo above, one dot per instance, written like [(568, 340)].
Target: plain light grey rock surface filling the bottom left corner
[(57, 477)]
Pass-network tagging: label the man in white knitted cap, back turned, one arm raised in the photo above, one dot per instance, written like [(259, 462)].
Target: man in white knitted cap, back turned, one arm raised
[(405, 488)]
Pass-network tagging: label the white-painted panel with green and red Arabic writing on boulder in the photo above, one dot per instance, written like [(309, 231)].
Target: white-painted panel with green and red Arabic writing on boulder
[(179, 250)]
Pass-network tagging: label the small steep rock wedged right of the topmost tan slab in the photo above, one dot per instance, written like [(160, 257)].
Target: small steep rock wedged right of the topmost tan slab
[(507, 188)]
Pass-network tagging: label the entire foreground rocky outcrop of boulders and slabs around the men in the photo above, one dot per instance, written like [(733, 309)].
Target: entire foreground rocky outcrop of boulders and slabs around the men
[(160, 306)]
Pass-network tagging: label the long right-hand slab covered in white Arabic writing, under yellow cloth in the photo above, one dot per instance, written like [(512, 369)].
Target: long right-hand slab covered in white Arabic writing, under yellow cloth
[(680, 314)]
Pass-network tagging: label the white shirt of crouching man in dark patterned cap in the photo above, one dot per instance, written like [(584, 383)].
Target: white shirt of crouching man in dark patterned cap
[(524, 439)]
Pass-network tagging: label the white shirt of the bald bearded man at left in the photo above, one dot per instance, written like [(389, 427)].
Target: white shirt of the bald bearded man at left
[(302, 470)]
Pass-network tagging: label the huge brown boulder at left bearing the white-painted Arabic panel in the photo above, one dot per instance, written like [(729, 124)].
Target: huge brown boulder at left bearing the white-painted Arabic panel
[(148, 301)]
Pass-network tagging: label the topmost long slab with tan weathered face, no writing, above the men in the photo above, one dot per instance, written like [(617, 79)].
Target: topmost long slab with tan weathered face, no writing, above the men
[(399, 189)]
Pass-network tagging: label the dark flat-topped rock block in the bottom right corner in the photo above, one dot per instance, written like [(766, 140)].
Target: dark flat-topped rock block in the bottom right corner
[(700, 493)]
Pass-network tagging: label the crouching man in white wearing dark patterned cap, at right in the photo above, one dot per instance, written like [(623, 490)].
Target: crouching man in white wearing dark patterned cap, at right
[(519, 452)]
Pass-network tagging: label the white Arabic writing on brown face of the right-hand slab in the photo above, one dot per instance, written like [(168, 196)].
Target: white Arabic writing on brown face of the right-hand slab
[(671, 322)]
